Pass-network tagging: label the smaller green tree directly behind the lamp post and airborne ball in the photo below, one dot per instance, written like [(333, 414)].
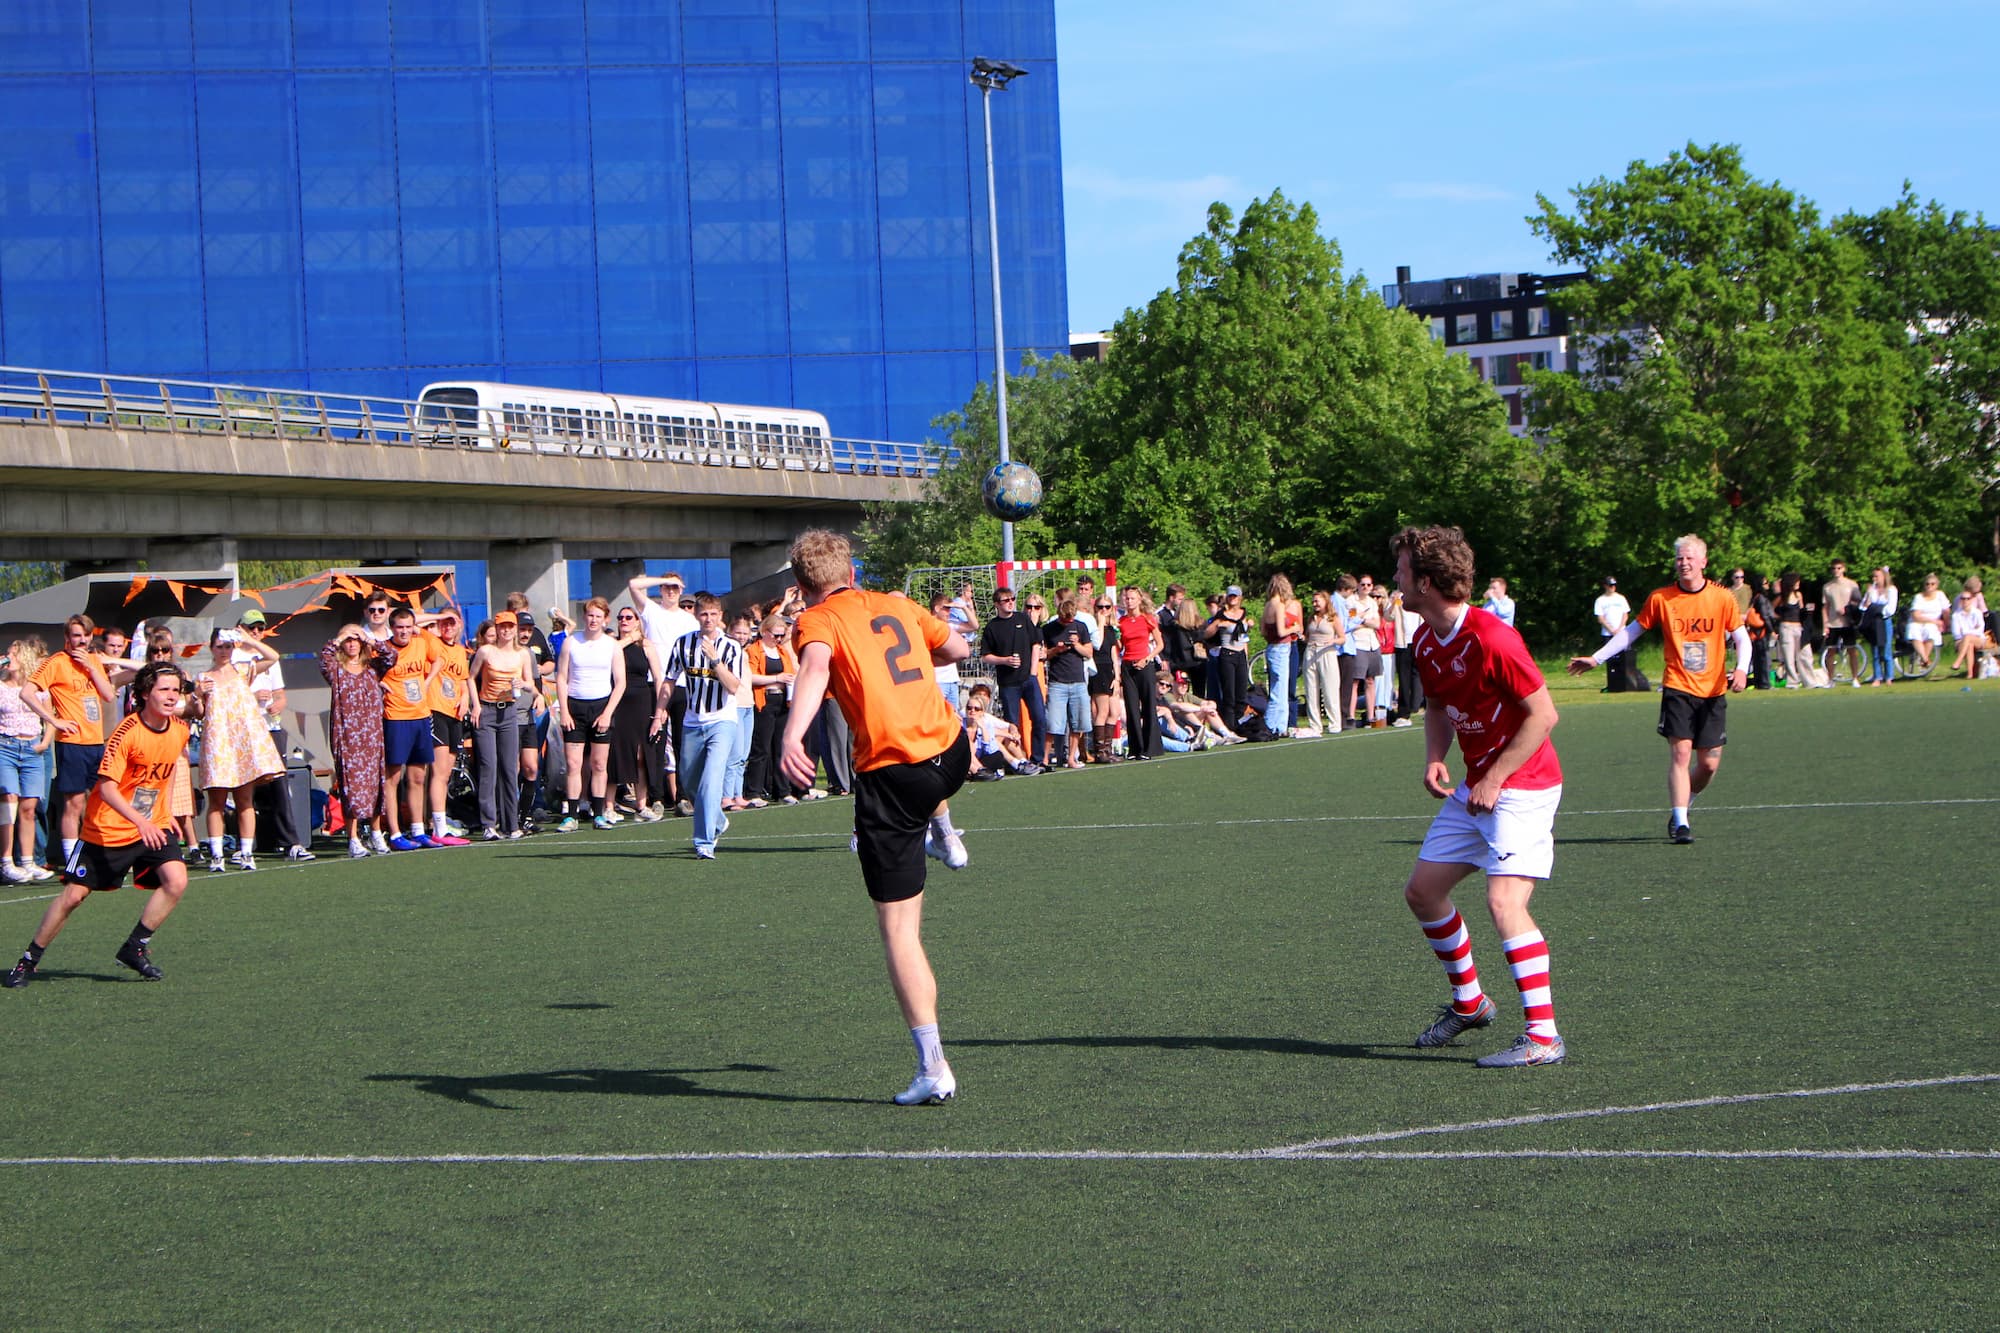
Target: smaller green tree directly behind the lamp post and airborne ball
[(951, 525)]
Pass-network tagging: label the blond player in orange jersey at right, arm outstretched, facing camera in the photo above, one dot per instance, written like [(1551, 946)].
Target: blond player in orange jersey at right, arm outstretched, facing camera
[(1695, 617)]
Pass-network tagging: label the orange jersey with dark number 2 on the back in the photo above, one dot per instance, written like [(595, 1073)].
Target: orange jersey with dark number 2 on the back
[(881, 676)]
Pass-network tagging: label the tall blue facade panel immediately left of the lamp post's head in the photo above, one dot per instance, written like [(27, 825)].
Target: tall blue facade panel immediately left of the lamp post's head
[(923, 181)]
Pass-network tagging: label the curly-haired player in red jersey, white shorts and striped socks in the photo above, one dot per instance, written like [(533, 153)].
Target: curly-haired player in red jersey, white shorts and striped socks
[(1487, 694)]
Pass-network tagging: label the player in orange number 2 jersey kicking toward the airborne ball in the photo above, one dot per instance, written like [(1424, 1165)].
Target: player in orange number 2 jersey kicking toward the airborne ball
[(875, 653)]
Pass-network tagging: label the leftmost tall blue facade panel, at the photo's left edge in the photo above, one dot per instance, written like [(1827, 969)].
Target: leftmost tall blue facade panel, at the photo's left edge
[(51, 297)]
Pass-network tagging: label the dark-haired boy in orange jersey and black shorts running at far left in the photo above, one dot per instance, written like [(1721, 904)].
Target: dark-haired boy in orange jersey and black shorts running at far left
[(127, 826)]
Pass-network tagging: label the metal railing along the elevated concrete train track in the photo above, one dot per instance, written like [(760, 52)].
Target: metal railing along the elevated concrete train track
[(191, 407)]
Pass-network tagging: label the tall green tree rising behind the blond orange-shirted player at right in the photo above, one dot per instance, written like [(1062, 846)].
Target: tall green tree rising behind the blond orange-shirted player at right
[(1733, 385)]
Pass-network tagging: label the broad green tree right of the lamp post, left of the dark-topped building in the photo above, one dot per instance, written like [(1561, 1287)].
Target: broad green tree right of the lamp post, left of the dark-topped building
[(1269, 413)]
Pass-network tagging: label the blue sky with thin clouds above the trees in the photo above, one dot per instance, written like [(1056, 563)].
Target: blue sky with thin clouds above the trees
[(1421, 133)]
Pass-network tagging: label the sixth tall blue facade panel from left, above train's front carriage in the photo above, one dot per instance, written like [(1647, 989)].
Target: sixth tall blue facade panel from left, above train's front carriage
[(543, 181)]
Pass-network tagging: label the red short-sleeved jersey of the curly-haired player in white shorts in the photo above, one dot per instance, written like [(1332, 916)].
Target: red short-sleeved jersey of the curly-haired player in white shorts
[(1481, 676)]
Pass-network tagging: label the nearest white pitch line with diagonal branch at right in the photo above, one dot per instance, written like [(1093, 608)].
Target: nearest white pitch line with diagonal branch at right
[(1319, 1150)]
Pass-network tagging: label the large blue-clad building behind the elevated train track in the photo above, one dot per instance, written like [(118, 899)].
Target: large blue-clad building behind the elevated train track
[(745, 201)]
